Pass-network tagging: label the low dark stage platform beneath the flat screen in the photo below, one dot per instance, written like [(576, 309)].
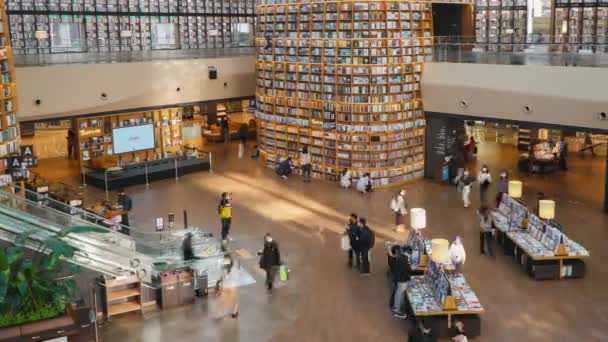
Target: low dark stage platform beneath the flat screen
[(141, 173)]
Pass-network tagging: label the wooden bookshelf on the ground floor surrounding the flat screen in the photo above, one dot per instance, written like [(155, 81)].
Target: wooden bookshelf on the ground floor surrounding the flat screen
[(94, 136)]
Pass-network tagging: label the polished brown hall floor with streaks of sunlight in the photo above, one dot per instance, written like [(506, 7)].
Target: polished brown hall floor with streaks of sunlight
[(324, 300)]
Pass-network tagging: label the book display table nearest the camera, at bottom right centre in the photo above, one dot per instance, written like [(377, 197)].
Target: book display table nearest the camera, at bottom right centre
[(439, 296)]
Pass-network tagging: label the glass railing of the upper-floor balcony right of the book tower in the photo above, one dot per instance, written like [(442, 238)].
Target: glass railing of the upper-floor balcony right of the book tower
[(537, 51)]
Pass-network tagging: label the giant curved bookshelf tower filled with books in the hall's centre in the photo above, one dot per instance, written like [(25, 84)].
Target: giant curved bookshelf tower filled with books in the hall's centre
[(343, 78)]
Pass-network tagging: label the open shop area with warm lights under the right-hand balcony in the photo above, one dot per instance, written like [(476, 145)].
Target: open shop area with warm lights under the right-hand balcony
[(530, 152)]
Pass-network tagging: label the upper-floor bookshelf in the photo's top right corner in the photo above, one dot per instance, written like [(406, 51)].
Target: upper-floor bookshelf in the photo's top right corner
[(580, 23)]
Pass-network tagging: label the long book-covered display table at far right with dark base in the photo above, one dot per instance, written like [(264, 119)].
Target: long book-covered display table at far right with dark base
[(539, 246)]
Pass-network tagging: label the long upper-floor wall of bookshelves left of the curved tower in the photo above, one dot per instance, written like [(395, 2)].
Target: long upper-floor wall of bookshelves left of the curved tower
[(127, 25)]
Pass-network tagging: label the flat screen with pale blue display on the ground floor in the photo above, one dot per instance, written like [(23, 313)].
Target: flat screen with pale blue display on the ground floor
[(134, 138)]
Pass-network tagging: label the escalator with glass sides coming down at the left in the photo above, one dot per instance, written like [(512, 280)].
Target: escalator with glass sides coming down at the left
[(112, 253)]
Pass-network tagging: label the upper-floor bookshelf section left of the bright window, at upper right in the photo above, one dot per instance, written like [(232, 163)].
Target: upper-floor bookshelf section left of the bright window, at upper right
[(501, 22)]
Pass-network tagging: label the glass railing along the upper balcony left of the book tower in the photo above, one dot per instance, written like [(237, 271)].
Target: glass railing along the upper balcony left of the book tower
[(127, 56)]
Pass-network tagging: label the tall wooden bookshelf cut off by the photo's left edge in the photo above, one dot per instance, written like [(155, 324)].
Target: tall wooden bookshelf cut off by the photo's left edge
[(9, 127)]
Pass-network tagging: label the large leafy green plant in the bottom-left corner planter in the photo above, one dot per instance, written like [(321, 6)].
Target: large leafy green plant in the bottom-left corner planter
[(30, 286)]
